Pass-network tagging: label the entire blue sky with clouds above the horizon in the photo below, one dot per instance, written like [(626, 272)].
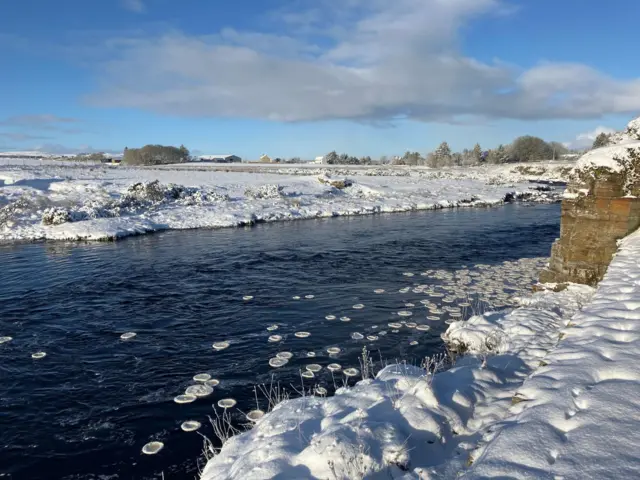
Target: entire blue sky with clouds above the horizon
[(305, 77)]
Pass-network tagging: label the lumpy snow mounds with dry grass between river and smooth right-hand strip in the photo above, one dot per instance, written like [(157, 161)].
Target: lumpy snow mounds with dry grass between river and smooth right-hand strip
[(405, 423)]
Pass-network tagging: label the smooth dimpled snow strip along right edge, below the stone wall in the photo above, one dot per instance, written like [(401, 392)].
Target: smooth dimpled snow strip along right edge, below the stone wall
[(580, 416)]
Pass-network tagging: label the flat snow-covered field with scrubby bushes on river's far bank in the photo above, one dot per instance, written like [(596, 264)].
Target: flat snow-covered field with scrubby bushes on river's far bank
[(54, 200)]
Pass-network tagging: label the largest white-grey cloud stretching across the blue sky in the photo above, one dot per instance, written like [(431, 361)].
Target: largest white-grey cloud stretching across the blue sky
[(370, 60)]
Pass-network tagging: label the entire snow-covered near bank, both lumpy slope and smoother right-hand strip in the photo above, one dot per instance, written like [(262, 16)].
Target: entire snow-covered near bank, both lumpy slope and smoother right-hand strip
[(545, 391)]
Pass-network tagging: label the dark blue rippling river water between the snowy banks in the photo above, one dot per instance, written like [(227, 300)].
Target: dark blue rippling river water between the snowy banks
[(86, 410)]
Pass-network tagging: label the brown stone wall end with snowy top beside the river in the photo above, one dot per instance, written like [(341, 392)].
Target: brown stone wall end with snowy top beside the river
[(595, 214)]
